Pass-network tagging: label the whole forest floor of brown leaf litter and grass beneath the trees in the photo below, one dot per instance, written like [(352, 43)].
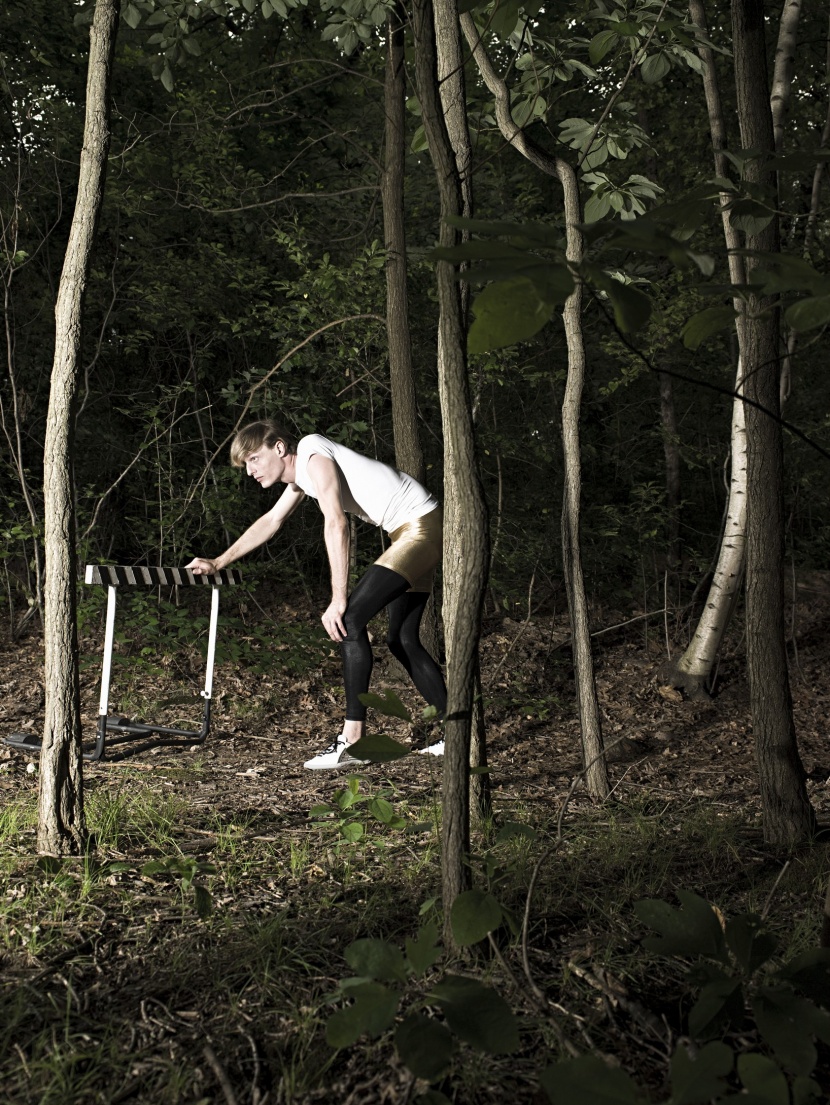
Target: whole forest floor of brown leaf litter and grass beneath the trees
[(113, 988)]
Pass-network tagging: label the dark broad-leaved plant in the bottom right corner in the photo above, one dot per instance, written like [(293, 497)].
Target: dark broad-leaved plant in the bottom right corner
[(737, 986)]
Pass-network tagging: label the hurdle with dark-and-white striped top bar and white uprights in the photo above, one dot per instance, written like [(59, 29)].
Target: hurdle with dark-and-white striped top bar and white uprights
[(115, 576)]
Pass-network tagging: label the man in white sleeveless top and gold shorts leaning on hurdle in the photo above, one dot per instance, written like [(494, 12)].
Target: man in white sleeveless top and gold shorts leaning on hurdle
[(402, 578)]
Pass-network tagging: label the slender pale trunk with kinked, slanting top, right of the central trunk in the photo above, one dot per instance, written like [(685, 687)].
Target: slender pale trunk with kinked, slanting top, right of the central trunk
[(590, 718)]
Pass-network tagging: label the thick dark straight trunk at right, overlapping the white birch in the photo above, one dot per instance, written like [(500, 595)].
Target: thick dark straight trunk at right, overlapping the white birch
[(789, 817)]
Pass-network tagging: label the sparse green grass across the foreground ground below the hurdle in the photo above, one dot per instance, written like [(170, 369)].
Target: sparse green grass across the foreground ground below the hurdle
[(112, 986)]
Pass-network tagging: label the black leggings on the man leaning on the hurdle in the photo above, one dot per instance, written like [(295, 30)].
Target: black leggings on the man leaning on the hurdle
[(382, 587)]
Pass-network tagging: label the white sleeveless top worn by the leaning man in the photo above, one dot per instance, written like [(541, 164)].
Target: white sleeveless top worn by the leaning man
[(374, 491)]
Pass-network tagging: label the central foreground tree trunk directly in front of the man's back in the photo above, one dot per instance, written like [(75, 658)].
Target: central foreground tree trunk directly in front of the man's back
[(466, 523)]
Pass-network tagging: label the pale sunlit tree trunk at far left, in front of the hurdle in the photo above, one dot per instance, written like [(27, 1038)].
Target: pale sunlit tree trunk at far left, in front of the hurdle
[(61, 826)]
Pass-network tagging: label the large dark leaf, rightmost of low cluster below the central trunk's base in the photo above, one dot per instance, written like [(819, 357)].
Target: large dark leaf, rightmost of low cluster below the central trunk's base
[(478, 1015)]
